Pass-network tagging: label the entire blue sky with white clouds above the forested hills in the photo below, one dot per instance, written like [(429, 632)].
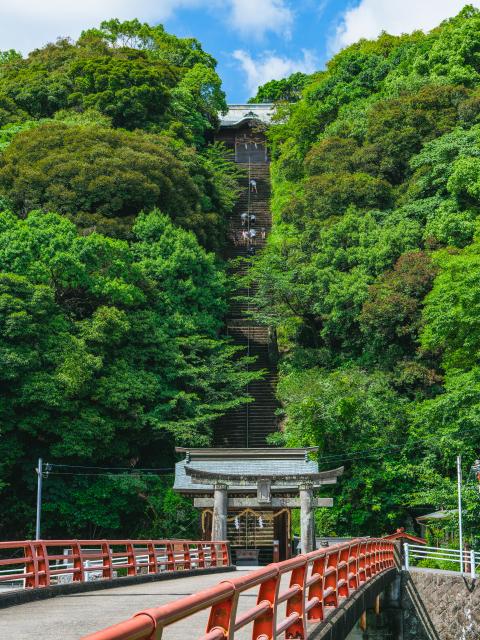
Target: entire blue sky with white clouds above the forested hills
[(253, 40)]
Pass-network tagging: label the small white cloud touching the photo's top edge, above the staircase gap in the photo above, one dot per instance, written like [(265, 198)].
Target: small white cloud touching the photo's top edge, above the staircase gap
[(255, 17)]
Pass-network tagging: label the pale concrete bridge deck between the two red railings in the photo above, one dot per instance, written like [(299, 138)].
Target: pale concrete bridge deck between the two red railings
[(71, 617)]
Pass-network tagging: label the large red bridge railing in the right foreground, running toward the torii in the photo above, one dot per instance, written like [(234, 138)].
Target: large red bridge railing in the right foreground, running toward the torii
[(318, 582)]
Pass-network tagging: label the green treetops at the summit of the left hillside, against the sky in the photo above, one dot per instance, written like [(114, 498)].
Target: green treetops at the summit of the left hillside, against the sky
[(125, 70)]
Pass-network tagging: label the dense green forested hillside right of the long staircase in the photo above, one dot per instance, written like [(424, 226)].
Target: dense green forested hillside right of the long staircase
[(372, 272)]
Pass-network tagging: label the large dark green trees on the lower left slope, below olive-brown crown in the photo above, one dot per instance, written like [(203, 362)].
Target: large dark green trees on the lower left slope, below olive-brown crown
[(111, 355)]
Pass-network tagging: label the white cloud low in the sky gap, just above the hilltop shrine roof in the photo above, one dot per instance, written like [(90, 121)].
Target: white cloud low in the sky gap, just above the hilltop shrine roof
[(270, 66)]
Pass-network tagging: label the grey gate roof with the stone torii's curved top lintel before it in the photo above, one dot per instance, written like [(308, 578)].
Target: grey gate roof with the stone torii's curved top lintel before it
[(242, 467)]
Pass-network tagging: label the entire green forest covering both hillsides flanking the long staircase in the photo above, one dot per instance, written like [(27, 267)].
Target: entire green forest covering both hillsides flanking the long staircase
[(113, 212)]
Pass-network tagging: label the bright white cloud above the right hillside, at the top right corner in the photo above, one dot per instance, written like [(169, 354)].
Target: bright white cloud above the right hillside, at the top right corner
[(371, 17)]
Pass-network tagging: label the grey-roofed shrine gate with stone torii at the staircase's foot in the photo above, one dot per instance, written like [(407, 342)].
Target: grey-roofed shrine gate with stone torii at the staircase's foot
[(246, 495)]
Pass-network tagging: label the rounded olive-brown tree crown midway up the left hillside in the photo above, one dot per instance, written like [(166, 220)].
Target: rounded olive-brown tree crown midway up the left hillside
[(102, 179)]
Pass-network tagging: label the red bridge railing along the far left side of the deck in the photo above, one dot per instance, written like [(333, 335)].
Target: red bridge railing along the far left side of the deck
[(41, 563)]
